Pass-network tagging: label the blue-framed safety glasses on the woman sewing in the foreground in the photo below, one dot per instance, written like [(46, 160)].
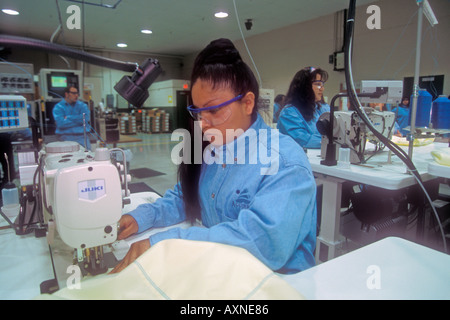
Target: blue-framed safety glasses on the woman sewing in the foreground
[(214, 115)]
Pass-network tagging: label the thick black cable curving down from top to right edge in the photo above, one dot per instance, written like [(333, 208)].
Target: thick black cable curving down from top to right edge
[(359, 110)]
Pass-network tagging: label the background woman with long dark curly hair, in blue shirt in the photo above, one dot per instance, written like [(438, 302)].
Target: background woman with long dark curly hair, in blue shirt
[(304, 105)]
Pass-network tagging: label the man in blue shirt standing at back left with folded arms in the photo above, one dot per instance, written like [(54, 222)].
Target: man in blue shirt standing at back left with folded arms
[(70, 114)]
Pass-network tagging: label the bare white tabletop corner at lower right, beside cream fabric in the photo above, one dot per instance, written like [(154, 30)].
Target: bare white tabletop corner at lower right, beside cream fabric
[(390, 269)]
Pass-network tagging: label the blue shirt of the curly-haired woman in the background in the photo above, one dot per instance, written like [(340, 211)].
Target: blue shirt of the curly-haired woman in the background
[(305, 133)]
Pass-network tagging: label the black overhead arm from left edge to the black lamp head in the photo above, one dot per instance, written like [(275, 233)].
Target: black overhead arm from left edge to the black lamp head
[(30, 43)]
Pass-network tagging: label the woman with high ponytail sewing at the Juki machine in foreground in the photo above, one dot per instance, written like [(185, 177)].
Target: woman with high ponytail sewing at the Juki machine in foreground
[(240, 198)]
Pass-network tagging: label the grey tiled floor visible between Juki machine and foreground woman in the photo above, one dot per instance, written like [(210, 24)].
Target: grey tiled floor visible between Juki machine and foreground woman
[(153, 153)]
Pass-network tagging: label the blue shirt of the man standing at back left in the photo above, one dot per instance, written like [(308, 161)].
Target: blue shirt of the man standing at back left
[(69, 121)]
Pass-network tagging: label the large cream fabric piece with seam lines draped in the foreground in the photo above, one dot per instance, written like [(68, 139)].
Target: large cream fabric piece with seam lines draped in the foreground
[(189, 270)]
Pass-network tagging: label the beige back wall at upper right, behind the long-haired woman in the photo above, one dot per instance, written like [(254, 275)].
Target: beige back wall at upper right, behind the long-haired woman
[(386, 54)]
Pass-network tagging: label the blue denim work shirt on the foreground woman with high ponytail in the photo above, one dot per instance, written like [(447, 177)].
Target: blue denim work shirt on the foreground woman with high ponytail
[(268, 209)]
